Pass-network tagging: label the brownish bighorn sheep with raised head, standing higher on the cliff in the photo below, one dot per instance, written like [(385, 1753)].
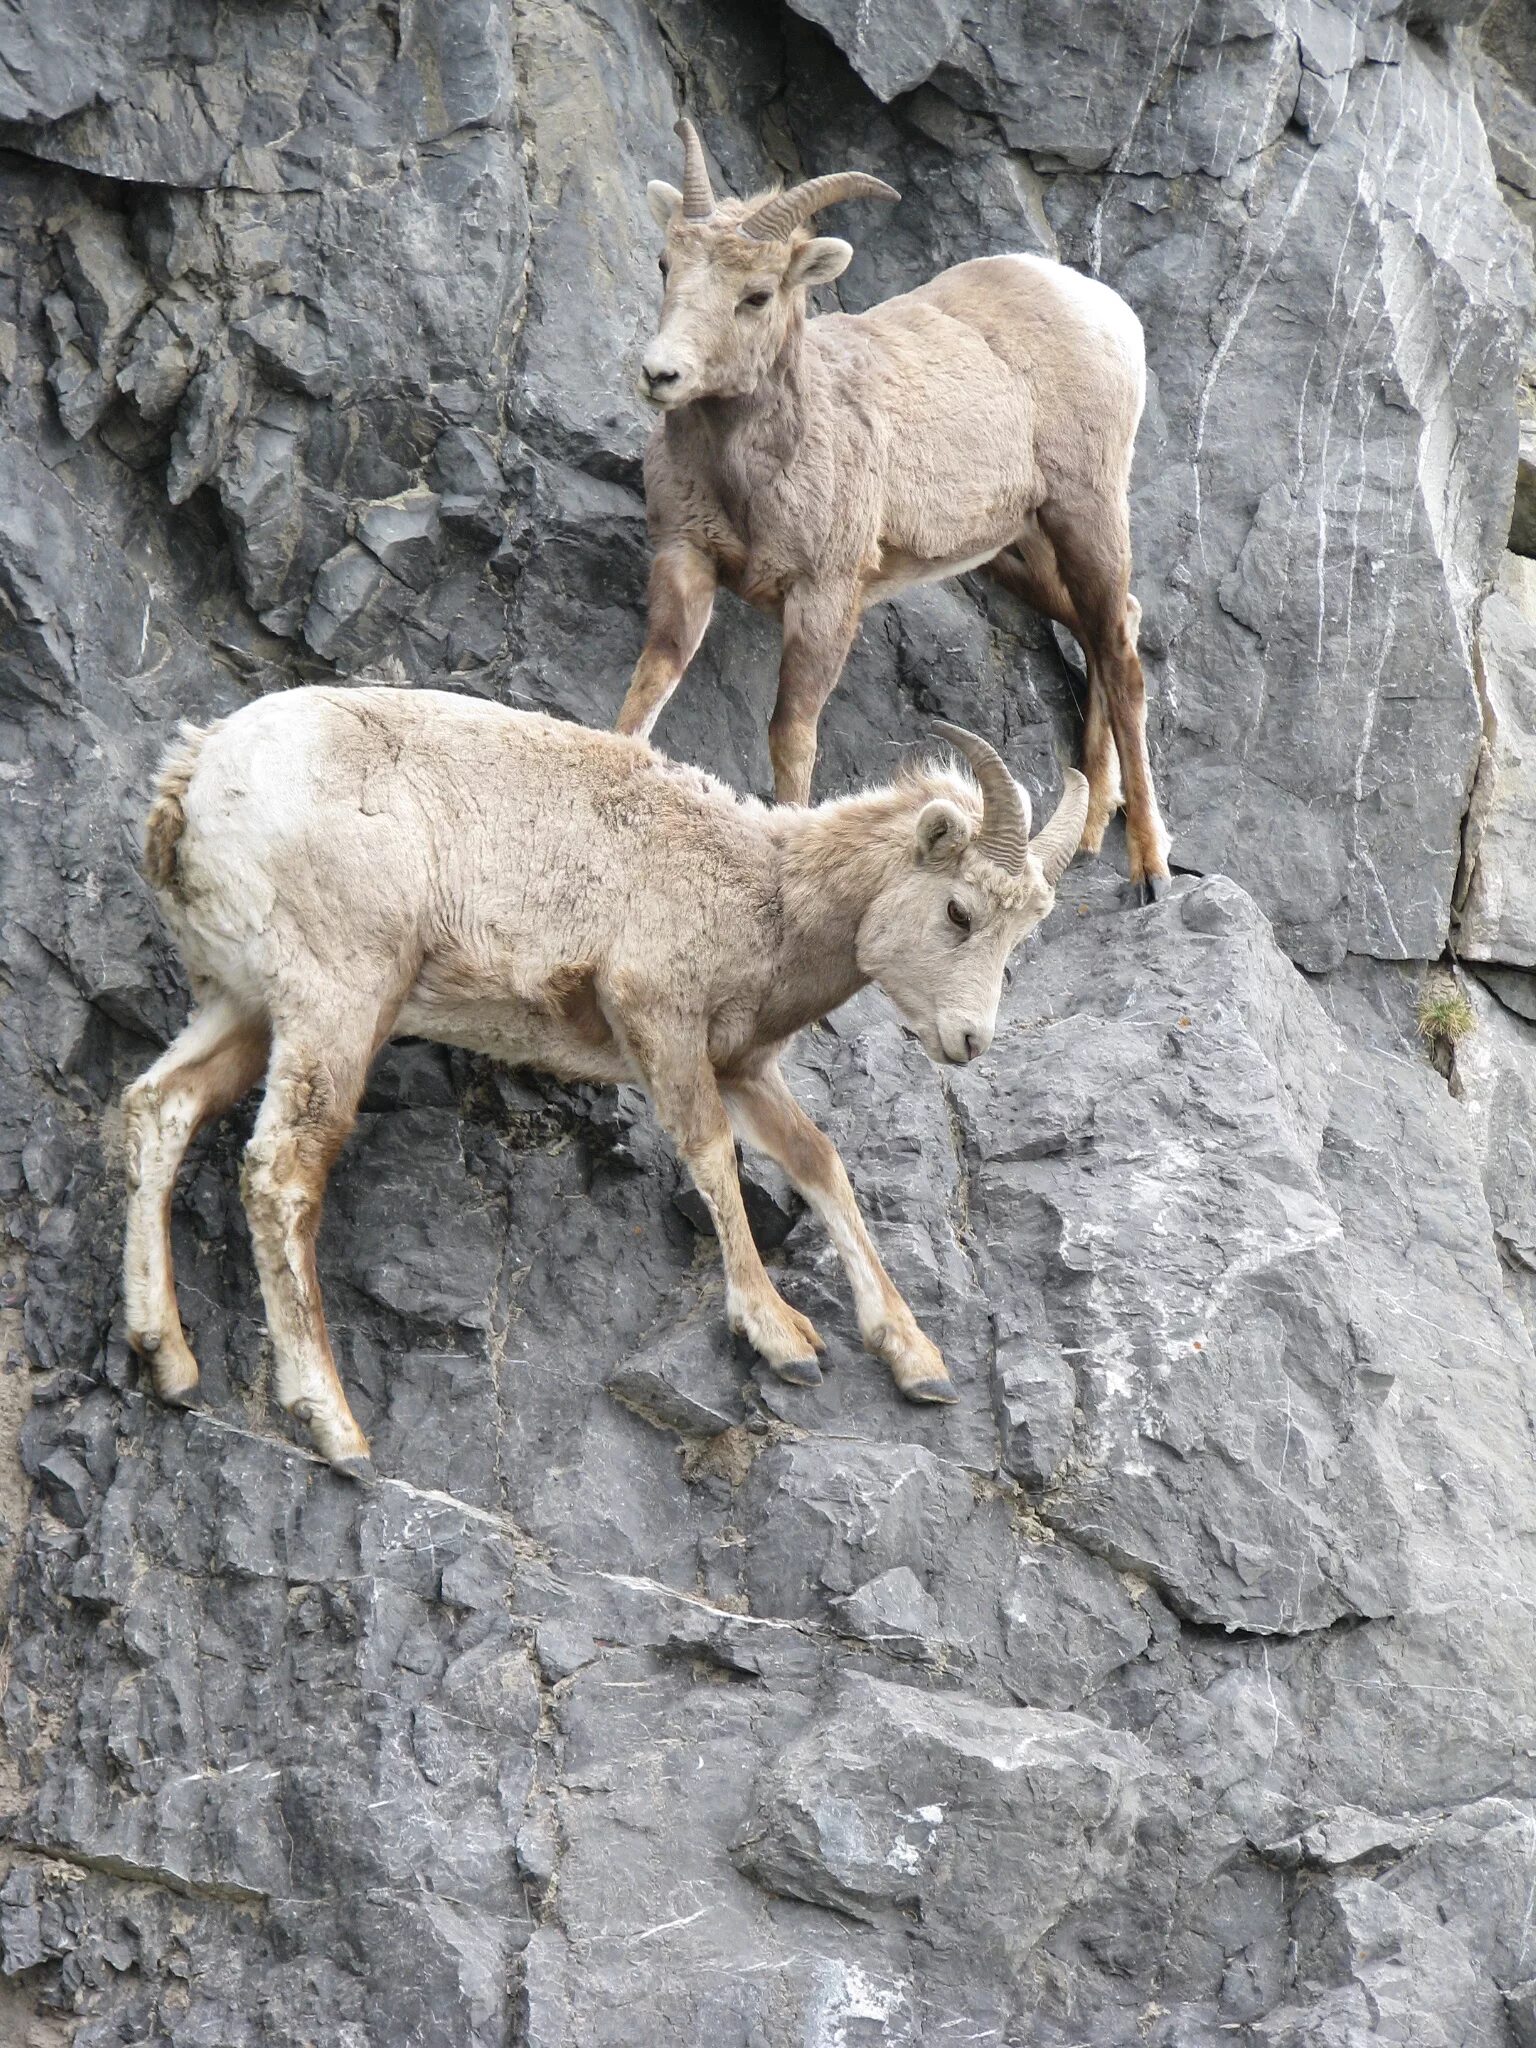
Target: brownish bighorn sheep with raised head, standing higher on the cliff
[(820, 466)]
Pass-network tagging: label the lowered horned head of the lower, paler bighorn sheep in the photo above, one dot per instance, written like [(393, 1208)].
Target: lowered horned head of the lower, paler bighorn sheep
[(974, 886)]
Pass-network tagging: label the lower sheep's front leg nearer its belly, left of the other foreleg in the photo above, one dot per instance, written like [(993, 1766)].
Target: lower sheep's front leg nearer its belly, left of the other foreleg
[(689, 1107)]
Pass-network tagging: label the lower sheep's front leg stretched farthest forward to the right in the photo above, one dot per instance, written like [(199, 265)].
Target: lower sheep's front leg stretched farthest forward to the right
[(769, 1117)]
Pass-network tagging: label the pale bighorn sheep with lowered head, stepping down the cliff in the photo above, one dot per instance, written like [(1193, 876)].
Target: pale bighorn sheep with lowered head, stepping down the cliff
[(341, 865)]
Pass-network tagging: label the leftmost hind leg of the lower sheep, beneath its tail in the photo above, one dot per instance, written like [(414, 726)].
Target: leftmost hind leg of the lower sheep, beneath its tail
[(206, 1072)]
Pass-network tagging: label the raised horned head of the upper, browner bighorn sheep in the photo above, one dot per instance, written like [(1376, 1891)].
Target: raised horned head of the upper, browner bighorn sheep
[(736, 278)]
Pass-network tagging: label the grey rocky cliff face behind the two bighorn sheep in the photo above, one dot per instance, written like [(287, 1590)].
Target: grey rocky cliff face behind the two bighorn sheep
[(1179, 1684)]
